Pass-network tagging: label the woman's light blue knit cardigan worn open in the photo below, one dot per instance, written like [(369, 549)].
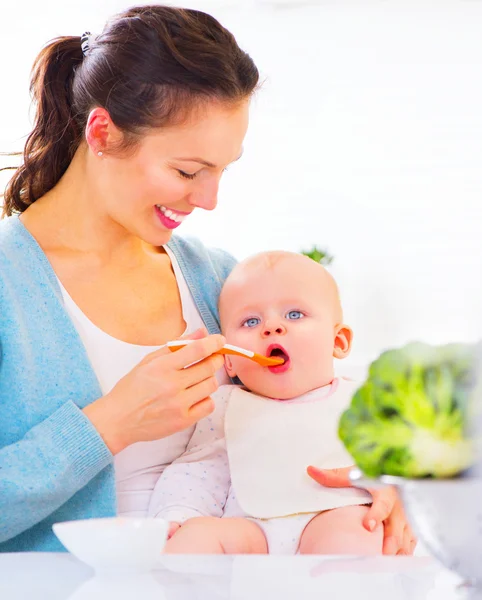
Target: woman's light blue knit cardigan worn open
[(54, 466)]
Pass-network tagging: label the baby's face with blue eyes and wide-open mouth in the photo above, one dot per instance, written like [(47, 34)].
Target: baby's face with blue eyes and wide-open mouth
[(289, 309)]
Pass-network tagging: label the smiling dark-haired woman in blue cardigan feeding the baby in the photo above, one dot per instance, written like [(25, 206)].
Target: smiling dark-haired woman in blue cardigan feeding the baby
[(132, 133)]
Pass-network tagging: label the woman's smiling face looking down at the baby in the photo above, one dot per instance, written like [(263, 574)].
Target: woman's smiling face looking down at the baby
[(172, 172)]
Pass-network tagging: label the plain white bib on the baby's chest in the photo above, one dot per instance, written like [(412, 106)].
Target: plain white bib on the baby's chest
[(270, 443)]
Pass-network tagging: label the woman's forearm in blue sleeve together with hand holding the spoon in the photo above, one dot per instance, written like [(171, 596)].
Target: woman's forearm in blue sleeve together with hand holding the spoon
[(60, 455)]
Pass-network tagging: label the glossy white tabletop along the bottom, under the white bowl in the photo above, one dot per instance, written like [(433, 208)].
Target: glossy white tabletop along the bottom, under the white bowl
[(37, 576)]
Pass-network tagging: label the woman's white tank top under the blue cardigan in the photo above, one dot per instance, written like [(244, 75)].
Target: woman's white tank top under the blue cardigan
[(140, 465)]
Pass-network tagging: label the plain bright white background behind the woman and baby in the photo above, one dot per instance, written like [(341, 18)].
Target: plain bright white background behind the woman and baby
[(366, 139)]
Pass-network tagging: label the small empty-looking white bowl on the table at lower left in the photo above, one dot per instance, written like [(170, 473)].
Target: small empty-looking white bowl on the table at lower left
[(115, 543)]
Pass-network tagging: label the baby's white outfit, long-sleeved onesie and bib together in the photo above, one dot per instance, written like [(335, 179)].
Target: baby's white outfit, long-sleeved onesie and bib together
[(250, 457)]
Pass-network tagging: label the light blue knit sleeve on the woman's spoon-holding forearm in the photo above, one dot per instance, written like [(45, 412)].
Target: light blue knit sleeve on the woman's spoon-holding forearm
[(45, 468)]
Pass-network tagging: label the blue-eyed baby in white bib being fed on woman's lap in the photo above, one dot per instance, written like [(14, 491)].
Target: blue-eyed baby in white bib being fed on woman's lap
[(242, 486)]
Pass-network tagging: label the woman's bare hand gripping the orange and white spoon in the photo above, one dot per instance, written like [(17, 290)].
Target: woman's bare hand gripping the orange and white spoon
[(160, 396)]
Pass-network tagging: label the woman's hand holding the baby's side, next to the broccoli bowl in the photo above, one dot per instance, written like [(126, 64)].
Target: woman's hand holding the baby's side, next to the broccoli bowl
[(386, 508)]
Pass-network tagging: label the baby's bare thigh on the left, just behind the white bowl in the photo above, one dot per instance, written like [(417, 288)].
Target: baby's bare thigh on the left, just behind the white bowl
[(211, 535)]
